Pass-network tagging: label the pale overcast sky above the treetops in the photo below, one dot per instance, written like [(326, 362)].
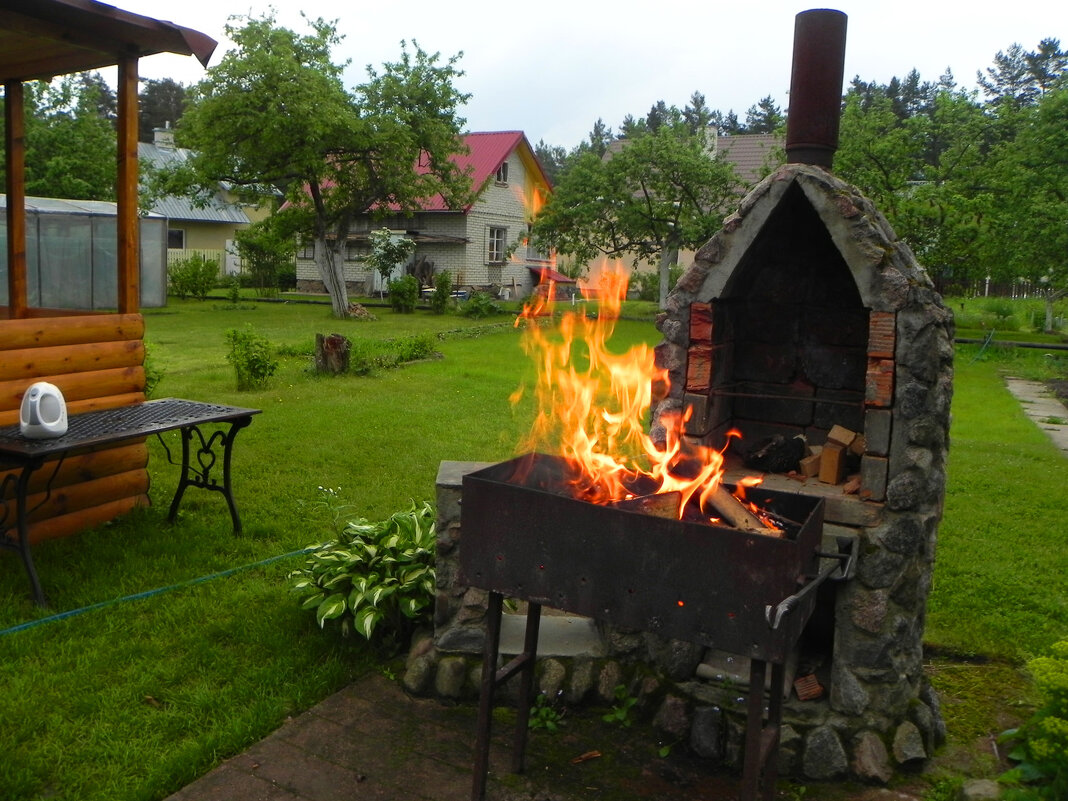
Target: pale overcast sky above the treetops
[(555, 68)]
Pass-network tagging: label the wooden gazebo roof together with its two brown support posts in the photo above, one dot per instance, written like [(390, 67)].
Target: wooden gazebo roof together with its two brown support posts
[(42, 39)]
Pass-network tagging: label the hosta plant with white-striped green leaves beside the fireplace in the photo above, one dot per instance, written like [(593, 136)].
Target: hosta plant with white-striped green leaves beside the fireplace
[(376, 578)]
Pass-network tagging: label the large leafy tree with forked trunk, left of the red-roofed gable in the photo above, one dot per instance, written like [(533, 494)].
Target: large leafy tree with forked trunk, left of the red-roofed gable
[(275, 113)]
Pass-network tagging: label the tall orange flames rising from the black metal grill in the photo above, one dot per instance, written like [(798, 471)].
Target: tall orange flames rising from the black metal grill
[(593, 405)]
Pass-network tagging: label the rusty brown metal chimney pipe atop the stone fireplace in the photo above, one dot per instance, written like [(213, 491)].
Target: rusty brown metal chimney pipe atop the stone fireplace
[(815, 109)]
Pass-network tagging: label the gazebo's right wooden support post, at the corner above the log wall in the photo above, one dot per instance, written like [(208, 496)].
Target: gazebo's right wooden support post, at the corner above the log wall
[(127, 190)]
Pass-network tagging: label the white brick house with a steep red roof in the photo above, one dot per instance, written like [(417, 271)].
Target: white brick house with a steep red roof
[(483, 246)]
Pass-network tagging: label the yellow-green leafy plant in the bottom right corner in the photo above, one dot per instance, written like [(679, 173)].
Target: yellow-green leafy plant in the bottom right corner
[(1041, 746)]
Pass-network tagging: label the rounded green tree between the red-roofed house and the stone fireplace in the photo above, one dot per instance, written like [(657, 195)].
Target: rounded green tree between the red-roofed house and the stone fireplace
[(663, 192)]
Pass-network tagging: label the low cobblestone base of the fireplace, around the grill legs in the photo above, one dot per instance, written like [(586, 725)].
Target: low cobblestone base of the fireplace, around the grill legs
[(819, 741)]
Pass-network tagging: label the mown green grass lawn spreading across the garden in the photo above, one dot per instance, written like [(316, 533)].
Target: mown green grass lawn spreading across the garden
[(134, 700)]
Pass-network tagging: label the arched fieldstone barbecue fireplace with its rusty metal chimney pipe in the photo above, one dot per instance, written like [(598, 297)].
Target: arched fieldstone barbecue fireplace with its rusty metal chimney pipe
[(808, 326)]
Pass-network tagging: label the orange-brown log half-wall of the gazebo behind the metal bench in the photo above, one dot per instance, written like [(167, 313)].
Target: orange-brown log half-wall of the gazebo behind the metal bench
[(98, 363)]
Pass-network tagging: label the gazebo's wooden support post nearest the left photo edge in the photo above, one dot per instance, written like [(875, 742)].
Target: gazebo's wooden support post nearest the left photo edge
[(15, 186)]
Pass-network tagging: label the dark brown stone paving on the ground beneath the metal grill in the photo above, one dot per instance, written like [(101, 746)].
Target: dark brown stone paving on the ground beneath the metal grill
[(373, 743)]
